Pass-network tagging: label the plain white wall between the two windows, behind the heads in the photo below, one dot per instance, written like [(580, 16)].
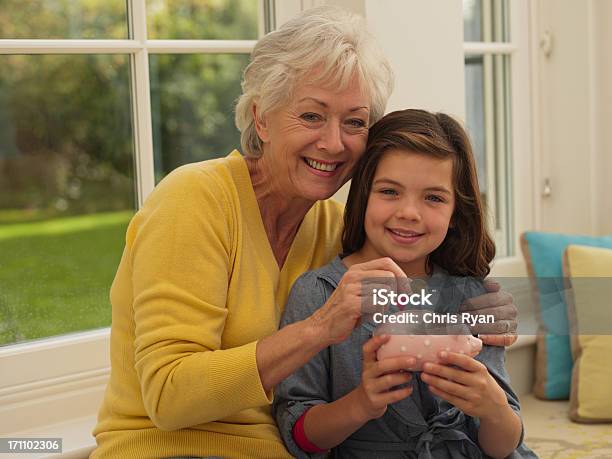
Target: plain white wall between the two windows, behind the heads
[(424, 43)]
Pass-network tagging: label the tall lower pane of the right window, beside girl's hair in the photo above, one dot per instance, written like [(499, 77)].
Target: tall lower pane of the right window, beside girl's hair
[(488, 122)]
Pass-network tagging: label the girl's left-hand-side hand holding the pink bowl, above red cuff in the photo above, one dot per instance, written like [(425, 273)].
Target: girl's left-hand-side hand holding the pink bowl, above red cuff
[(377, 380)]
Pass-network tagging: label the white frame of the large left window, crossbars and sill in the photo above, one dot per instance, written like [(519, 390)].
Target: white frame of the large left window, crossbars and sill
[(56, 379)]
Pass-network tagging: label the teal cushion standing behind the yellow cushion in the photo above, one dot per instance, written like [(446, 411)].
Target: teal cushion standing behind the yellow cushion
[(544, 255)]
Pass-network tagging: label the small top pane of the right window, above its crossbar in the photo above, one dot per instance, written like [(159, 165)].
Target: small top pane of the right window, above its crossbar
[(486, 20)]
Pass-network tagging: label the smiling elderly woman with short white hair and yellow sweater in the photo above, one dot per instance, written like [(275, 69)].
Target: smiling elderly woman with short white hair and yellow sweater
[(211, 256)]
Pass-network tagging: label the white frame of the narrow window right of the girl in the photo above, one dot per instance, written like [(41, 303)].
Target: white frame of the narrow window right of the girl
[(522, 158)]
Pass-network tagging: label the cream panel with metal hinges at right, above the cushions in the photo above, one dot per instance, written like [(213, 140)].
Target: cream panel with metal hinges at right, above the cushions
[(574, 85)]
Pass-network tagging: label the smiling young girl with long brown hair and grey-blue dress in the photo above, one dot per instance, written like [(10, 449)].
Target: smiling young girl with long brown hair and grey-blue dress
[(414, 198)]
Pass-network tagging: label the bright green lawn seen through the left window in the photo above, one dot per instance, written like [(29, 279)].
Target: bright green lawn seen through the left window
[(55, 275)]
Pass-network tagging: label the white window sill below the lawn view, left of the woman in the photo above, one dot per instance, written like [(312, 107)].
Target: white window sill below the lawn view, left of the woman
[(48, 382)]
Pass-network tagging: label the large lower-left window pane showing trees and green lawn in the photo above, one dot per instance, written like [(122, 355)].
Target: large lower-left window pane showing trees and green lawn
[(66, 190)]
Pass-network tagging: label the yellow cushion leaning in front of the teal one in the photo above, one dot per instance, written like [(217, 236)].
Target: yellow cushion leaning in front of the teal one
[(590, 316)]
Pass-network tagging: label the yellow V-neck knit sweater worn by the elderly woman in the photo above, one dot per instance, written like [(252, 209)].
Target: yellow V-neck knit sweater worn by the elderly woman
[(197, 287)]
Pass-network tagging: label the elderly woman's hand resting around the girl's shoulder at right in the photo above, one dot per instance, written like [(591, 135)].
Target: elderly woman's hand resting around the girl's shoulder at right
[(501, 305)]
